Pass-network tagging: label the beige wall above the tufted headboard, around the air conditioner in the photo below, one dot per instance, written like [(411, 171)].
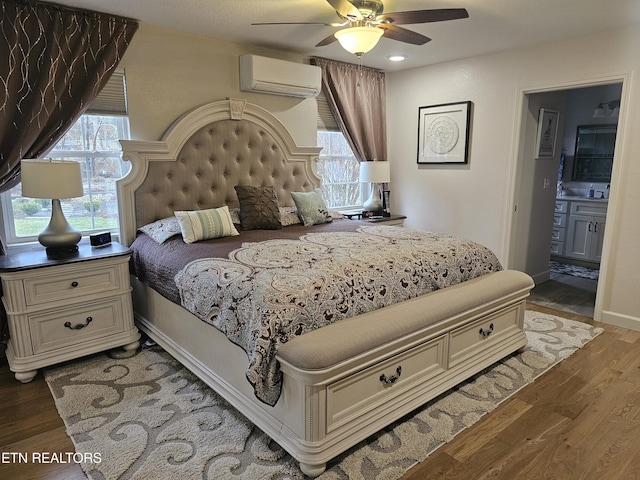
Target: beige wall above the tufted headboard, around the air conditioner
[(169, 72)]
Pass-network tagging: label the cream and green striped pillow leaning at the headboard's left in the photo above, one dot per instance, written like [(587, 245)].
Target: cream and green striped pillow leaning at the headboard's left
[(205, 224)]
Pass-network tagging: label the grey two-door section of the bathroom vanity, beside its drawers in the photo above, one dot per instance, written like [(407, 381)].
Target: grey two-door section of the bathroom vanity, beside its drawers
[(585, 231)]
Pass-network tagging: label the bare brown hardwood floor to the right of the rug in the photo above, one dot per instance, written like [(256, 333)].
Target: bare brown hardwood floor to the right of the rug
[(580, 420)]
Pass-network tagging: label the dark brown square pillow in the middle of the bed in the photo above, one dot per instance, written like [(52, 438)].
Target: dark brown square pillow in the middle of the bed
[(258, 208)]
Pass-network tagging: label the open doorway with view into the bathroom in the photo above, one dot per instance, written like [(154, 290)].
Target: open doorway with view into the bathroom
[(548, 192)]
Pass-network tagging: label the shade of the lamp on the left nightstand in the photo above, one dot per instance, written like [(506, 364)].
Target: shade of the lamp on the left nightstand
[(51, 179)]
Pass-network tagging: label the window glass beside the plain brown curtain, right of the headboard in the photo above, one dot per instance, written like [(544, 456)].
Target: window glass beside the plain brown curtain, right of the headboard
[(339, 170)]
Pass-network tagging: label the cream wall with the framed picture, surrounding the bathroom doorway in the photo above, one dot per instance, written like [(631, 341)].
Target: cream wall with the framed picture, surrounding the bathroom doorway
[(477, 200)]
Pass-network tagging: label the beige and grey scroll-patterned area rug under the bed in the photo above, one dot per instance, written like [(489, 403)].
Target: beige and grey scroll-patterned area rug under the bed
[(147, 417)]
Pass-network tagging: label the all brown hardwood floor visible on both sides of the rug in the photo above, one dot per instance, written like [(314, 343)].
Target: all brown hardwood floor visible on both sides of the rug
[(580, 420)]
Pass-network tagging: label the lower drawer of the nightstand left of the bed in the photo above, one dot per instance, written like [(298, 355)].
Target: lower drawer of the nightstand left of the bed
[(63, 327)]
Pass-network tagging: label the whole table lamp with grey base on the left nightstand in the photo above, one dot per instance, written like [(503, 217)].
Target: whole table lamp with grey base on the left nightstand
[(54, 179)]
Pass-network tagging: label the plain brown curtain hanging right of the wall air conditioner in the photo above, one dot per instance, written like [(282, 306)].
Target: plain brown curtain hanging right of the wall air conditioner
[(357, 98)]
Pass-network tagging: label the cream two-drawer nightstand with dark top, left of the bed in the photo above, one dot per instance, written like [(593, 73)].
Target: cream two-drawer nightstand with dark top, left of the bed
[(62, 309)]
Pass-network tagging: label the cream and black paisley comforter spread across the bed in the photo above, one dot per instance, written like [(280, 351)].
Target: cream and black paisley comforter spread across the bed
[(266, 292)]
